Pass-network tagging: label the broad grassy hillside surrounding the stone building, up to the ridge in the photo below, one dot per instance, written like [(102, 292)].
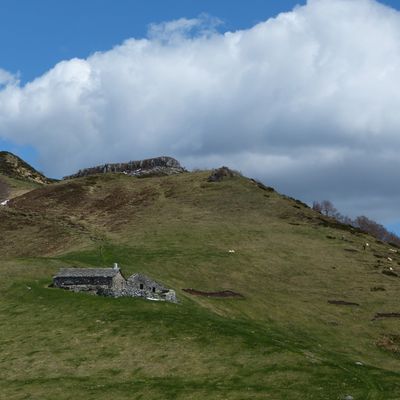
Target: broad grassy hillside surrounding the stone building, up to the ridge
[(283, 341)]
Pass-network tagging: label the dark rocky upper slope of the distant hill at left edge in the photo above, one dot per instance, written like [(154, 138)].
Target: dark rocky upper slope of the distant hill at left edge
[(14, 167)]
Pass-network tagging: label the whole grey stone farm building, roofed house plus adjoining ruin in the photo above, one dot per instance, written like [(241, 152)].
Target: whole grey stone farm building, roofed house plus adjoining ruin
[(110, 282)]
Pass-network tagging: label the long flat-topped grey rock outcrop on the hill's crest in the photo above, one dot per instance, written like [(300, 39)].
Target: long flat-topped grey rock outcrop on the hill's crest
[(151, 166)]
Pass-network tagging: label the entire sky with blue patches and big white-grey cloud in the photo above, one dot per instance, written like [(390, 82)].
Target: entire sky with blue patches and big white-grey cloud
[(302, 95)]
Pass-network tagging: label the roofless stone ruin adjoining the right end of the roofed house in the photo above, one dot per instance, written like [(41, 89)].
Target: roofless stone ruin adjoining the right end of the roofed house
[(139, 285)]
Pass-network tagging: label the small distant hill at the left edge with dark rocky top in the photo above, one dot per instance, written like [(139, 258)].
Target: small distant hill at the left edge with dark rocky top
[(18, 177)]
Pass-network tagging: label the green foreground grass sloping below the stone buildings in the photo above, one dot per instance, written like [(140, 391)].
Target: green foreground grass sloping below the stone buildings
[(110, 347)]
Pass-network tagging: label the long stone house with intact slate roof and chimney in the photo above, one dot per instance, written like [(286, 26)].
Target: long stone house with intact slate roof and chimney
[(94, 280)]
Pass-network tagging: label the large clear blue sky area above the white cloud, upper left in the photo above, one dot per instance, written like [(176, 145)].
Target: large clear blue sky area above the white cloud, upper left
[(36, 34)]
